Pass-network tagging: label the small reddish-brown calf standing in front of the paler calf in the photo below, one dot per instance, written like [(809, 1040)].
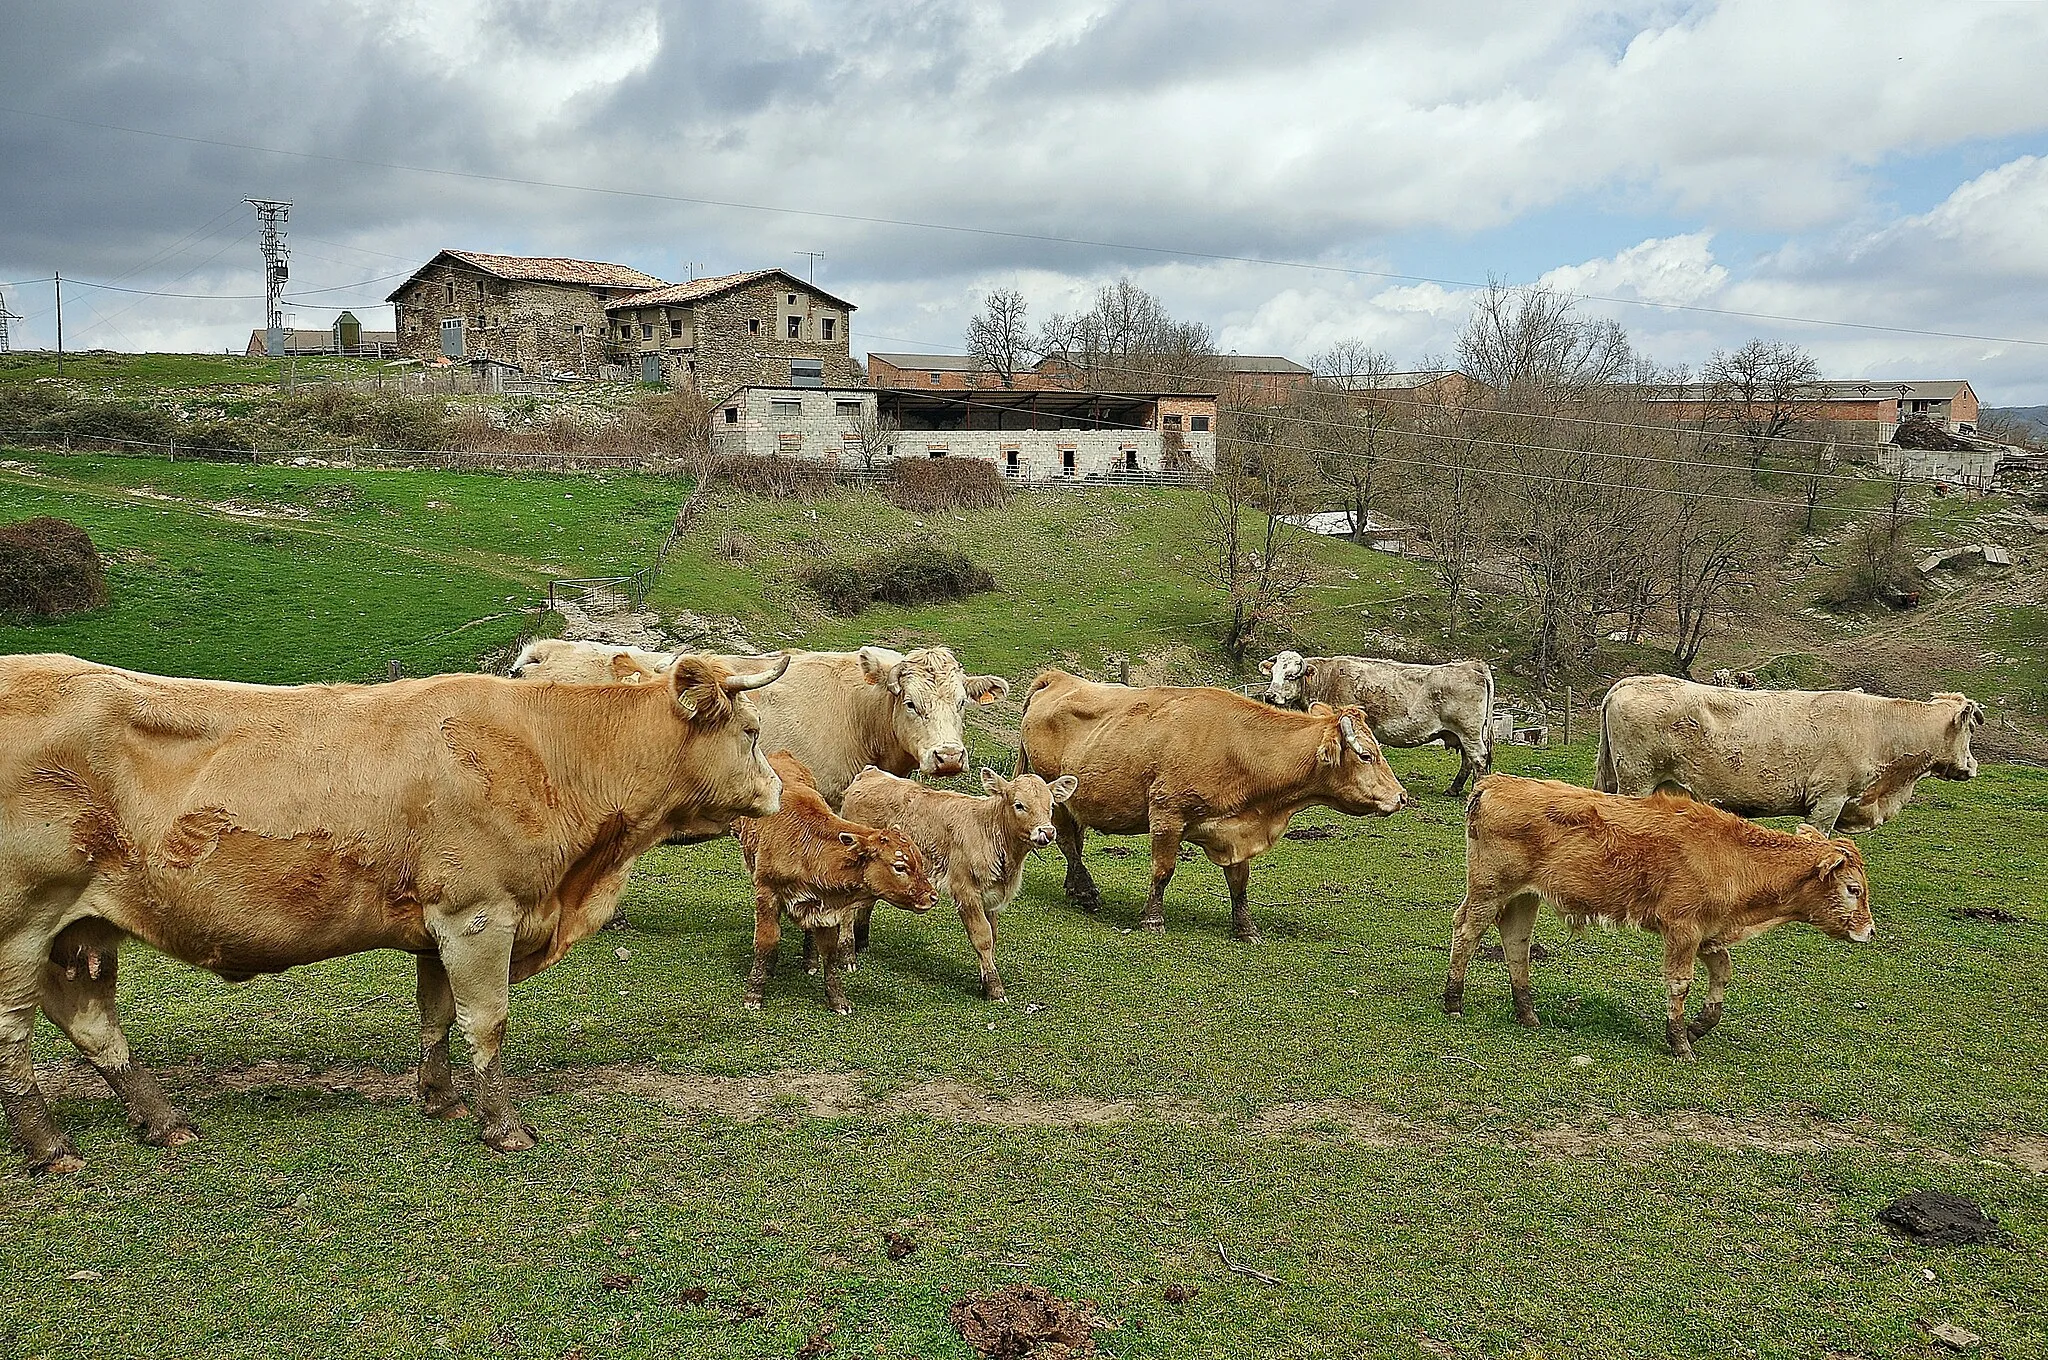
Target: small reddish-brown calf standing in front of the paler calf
[(822, 872)]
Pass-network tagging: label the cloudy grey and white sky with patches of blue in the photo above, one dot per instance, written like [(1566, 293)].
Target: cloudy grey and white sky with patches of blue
[(1293, 175)]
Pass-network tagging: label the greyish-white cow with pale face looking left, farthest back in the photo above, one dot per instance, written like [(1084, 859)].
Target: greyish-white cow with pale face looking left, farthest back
[(1406, 704)]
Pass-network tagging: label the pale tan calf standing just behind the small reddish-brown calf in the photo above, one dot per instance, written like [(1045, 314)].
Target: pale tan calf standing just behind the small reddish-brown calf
[(978, 845)]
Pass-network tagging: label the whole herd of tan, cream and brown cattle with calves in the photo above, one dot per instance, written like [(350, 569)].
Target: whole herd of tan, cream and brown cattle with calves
[(488, 824)]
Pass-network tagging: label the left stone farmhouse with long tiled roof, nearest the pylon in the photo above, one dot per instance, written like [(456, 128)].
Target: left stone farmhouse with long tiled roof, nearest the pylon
[(538, 312)]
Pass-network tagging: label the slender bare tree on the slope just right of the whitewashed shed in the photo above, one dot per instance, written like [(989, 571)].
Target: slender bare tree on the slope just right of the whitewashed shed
[(1261, 564)]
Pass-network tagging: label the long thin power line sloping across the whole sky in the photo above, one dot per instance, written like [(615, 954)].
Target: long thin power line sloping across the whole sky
[(998, 232)]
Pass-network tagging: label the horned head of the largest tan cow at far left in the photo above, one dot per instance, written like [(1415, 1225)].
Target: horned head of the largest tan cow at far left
[(722, 773)]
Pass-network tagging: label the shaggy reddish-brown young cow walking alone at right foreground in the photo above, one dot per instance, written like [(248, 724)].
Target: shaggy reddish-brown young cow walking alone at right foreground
[(1697, 876)]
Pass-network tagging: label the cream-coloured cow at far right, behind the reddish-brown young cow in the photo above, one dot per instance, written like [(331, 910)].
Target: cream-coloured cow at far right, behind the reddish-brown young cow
[(1840, 759)]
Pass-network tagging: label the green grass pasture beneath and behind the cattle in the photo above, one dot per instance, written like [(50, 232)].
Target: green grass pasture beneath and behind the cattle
[(1420, 1187)]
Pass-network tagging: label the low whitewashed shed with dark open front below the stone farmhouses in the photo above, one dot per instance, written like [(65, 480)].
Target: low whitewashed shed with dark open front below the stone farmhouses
[(1033, 435)]
